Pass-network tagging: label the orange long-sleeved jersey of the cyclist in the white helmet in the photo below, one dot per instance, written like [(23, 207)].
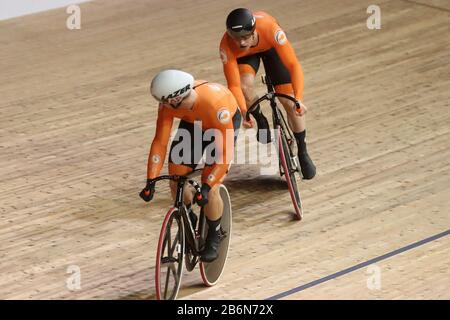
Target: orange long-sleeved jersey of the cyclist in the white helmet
[(214, 107)]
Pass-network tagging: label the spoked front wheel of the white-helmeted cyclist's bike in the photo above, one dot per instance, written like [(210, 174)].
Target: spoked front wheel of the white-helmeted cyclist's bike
[(169, 257)]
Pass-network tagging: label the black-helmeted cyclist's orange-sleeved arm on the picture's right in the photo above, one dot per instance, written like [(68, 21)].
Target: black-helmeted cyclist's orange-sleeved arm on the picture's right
[(289, 59)]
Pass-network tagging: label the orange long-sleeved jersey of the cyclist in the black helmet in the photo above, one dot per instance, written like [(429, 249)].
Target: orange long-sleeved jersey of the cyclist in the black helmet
[(270, 35)]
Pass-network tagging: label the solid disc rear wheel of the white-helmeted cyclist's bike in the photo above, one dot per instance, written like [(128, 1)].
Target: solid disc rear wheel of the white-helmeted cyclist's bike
[(212, 271)]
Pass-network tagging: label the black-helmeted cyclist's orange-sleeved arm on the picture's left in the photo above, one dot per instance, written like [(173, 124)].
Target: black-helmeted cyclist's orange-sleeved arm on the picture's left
[(231, 71)]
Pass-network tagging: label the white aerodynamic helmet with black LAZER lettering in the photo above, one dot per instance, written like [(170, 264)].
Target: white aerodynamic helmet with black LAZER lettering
[(171, 86)]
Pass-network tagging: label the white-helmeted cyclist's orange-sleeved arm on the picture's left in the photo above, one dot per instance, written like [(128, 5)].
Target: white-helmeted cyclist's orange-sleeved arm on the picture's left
[(159, 145)]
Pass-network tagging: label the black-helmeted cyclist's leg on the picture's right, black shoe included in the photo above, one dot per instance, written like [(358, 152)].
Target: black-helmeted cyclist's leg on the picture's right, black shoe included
[(281, 80)]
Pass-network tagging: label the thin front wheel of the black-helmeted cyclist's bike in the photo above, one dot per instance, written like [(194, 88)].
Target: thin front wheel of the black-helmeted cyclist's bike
[(287, 159)]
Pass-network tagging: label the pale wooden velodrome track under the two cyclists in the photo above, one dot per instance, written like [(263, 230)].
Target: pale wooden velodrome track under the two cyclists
[(77, 121)]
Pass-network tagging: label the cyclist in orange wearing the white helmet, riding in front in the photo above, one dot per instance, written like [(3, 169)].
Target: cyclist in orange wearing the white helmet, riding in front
[(210, 120)]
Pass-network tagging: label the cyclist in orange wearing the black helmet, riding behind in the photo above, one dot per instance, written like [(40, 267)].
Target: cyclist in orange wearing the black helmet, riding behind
[(248, 39)]
